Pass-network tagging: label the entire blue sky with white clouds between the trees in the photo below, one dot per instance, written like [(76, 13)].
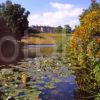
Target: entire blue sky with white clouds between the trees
[(54, 12)]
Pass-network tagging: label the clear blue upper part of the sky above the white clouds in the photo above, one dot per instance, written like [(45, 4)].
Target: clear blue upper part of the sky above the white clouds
[(43, 5)]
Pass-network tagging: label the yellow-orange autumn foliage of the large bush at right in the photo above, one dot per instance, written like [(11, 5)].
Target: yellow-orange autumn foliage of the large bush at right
[(84, 43)]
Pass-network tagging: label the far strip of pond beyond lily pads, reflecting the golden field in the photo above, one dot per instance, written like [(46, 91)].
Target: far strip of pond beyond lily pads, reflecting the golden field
[(38, 50)]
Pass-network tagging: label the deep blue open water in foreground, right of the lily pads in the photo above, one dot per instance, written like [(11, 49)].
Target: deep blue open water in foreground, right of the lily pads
[(61, 91)]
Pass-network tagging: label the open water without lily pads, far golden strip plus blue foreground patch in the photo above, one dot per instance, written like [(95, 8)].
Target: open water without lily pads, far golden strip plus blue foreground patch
[(63, 90)]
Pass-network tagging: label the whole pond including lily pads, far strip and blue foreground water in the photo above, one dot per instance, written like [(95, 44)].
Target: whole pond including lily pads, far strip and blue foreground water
[(49, 79)]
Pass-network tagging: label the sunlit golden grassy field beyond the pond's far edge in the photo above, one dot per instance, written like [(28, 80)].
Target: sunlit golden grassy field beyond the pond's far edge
[(44, 38)]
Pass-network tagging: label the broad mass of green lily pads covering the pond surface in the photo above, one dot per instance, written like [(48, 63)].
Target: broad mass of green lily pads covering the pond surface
[(26, 80)]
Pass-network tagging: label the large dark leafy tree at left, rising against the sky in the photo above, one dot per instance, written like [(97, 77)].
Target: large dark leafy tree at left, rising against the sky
[(16, 18)]
